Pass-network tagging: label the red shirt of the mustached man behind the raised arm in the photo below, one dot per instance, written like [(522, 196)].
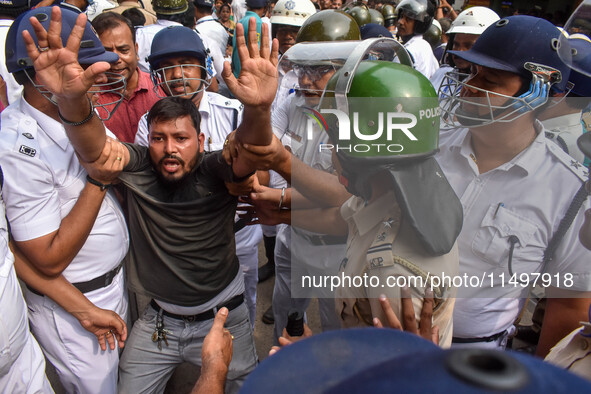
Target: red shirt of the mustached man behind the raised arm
[(126, 117)]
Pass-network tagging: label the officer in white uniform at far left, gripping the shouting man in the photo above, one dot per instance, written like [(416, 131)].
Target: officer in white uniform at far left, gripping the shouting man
[(60, 218)]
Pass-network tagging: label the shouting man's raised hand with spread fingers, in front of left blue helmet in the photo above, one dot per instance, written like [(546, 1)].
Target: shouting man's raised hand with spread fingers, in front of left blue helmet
[(56, 66)]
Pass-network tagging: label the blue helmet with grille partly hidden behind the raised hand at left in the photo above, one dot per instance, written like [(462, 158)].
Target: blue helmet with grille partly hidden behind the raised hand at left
[(91, 51)]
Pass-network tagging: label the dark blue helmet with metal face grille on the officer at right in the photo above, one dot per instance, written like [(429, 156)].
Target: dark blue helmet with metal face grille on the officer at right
[(523, 45)]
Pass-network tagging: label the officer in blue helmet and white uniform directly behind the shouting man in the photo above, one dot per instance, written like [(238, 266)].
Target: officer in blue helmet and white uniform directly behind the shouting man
[(219, 117)]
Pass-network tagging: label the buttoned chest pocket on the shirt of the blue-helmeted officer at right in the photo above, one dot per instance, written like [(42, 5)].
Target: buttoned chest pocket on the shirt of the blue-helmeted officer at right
[(492, 242)]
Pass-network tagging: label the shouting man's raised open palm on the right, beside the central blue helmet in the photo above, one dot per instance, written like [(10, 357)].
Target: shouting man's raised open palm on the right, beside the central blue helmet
[(257, 83)]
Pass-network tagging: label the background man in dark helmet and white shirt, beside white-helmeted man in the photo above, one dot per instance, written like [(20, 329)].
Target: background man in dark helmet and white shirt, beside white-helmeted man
[(414, 19)]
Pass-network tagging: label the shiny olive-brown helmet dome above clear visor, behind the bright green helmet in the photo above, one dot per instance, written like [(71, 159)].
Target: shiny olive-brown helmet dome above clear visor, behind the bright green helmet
[(329, 25)]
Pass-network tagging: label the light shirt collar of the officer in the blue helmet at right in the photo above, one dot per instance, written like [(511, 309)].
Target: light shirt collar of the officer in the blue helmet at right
[(529, 159)]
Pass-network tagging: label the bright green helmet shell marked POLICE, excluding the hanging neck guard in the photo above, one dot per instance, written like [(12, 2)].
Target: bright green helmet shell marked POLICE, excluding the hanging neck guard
[(393, 113)]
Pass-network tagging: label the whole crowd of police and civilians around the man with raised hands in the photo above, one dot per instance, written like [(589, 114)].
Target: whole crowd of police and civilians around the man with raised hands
[(410, 165)]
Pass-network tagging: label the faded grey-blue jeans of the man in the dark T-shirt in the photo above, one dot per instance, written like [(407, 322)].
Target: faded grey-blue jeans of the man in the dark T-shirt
[(144, 368)]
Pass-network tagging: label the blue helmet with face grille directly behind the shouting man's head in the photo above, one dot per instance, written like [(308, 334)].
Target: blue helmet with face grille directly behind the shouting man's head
[(176, 41)]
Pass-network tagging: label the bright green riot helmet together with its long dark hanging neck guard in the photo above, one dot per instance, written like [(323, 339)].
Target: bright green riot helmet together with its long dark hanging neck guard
[(383, 120)]
